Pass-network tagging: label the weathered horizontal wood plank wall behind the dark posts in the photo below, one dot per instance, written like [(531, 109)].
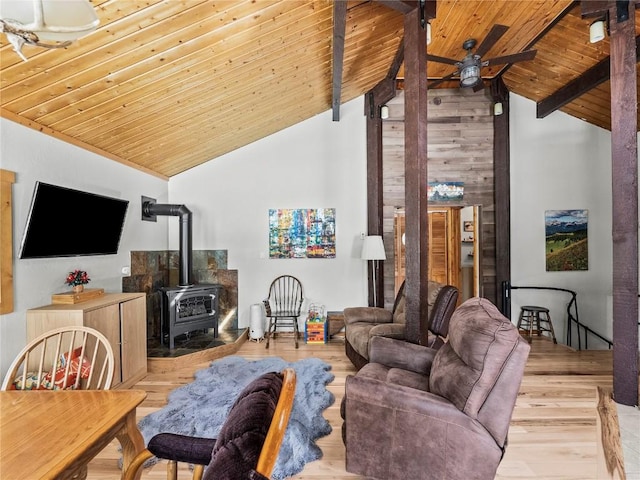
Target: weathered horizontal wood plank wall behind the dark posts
[(460, 149)]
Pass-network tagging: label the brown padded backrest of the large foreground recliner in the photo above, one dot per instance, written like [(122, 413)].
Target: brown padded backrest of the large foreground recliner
[(466, 368)]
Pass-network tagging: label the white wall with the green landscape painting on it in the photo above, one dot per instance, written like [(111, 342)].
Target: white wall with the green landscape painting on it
[(559, 163)]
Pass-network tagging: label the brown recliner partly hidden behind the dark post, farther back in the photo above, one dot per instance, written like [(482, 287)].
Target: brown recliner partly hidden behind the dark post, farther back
[(364, 323)]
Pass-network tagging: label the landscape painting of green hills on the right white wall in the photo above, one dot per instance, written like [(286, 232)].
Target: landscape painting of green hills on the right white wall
[(566, 240)]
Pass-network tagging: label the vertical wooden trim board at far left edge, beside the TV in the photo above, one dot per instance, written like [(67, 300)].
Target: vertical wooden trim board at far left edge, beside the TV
[(7, 179)]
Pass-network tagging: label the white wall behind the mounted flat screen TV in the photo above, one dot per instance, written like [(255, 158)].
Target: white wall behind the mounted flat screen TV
[(34, 156)]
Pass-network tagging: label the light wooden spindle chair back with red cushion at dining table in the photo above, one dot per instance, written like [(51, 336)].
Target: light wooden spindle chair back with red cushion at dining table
[(75, 357)]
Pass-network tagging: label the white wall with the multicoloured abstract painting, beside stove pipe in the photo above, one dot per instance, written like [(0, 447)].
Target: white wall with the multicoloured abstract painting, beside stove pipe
[(315, 164)]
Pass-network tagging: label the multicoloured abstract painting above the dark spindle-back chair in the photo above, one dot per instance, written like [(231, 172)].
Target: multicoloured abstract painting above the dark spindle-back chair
[(302, 233)]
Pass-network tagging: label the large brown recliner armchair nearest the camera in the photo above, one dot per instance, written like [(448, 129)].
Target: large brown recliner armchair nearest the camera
[(420, 413)]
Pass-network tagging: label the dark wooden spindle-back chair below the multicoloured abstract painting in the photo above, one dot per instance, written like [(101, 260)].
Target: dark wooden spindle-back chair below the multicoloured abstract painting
[(283, 306)]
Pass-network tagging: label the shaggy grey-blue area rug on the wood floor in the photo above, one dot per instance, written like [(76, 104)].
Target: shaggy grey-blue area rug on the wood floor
[(199, 408)]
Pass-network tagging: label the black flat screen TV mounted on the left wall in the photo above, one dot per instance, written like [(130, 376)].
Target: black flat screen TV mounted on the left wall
[(63, 222)]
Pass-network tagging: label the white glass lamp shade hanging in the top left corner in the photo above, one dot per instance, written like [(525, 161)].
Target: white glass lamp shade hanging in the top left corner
[(54, 20)]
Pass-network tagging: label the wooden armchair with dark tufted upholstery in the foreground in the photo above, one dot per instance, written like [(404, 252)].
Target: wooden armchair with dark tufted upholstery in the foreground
[(248, 443)]
